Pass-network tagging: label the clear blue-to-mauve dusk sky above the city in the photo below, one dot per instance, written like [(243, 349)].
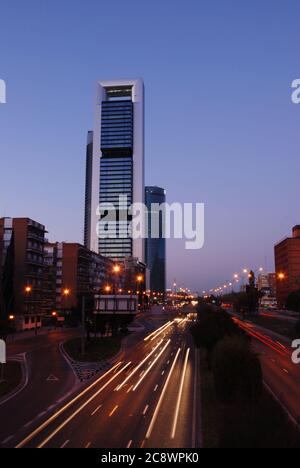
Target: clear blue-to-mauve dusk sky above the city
[(220, 125)]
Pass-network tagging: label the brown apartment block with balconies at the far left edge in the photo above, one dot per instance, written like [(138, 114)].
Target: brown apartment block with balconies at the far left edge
[(22, 271)]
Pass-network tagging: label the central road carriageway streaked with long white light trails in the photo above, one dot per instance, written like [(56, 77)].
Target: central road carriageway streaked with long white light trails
[(148, 399)]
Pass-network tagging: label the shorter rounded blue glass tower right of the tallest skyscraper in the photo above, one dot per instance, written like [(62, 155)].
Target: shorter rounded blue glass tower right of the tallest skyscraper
[(156, 247)]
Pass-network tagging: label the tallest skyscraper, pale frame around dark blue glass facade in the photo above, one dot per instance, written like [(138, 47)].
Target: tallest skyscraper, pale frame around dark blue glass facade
[(115, 166)]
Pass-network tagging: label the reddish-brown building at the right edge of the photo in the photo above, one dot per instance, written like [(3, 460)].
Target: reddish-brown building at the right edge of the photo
[(287, 265)]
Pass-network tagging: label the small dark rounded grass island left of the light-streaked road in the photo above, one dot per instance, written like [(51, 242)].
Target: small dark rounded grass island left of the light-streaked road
[(97, 349)]
